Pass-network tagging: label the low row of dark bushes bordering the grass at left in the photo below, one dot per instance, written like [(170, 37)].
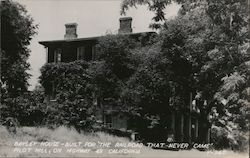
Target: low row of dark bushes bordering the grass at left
[(31, 110)]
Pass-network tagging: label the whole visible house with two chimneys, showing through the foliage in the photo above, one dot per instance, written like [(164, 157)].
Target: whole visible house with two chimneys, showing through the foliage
[(185, 124)]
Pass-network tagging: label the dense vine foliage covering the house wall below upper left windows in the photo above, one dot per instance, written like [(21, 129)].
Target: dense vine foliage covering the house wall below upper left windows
[(63, 75)]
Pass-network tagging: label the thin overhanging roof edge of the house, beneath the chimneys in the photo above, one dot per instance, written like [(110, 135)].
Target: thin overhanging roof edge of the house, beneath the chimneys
[(95, 39)]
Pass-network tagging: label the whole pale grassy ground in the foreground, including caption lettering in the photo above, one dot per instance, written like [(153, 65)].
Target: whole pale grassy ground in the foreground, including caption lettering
[(65, 142)]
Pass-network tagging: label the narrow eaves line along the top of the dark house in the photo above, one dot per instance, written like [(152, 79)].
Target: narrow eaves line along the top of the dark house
[(45, 43)]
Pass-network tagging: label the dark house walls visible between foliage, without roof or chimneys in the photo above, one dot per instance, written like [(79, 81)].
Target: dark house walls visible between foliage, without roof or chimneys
[(184, 124)]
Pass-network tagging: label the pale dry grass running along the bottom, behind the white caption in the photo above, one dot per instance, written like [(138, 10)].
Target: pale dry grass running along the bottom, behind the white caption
[(63, 135)]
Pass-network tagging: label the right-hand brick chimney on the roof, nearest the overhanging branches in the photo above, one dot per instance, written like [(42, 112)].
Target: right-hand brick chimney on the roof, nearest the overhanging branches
[(125, 25)]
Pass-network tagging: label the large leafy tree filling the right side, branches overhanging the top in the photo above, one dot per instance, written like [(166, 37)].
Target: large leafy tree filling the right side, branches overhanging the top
[(204, 51)]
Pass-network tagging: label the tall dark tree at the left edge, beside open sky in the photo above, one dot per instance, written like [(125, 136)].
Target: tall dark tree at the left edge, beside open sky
[(17, 29)]
